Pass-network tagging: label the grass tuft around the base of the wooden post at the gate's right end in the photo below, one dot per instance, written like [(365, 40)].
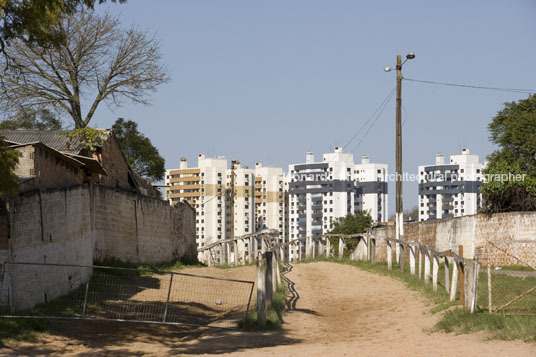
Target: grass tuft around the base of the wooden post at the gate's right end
[(274, 317)]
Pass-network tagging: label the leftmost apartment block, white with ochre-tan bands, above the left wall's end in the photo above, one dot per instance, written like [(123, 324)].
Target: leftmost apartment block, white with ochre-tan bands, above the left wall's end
[(222, 197)]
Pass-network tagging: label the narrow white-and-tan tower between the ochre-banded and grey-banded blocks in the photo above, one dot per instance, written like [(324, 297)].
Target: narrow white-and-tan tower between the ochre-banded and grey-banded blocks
[(271, 200)]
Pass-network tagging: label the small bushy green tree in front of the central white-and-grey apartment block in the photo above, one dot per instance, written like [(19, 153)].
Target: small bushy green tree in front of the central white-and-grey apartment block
[(350, 224)]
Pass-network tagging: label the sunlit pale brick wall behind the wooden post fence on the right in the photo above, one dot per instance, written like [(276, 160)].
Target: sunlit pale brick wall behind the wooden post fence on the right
[(472, 232)]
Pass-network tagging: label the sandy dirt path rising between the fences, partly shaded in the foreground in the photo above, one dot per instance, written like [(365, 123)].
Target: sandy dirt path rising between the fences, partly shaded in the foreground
[(339, 310)]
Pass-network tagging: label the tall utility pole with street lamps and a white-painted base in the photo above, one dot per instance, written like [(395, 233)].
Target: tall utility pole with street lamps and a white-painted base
[(399, 221)]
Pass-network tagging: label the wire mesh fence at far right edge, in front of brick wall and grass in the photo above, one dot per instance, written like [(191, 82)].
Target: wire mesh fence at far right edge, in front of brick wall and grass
[(512, 278)]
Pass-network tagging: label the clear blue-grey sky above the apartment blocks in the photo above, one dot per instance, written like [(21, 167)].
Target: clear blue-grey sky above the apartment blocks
[(267, 81)]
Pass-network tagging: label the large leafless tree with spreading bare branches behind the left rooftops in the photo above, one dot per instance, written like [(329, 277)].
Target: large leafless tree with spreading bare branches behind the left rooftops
[(95, 61)]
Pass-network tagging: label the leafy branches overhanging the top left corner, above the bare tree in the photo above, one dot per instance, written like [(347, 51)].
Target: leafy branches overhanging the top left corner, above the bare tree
[(34, 20)]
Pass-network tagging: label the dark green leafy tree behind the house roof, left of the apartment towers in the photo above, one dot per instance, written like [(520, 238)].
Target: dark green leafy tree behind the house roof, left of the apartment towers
[(141, 155)]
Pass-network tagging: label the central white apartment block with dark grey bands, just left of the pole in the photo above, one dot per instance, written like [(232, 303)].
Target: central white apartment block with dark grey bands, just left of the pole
[(320, 192)]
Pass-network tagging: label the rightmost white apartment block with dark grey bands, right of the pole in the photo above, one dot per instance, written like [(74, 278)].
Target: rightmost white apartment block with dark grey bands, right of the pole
[(450, 189)]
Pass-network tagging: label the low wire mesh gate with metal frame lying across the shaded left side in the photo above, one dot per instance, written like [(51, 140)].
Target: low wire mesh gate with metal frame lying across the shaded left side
[(97, 292)]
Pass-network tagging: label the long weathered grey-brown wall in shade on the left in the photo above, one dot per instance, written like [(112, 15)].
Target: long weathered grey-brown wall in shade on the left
[(78, 224)]
